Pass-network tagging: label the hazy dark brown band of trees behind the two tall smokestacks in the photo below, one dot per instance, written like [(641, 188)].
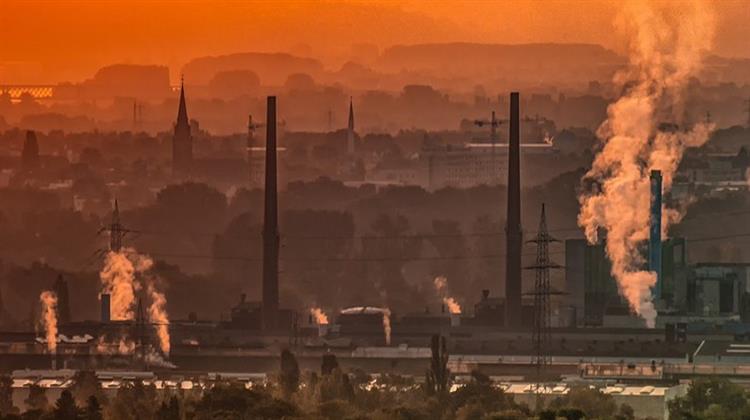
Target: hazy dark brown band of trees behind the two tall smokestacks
[(340, 245)]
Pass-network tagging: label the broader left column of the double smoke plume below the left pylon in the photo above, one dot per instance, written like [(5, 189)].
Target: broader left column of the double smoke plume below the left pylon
[(118, 277)]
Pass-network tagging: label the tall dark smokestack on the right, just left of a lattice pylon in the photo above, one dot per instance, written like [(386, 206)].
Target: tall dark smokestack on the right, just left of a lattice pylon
[(513, 220)]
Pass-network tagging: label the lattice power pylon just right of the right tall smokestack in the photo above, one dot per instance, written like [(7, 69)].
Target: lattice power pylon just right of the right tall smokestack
[(542, 292)]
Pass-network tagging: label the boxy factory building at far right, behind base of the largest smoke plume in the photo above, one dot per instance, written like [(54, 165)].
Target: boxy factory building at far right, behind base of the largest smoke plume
[(710, 291)]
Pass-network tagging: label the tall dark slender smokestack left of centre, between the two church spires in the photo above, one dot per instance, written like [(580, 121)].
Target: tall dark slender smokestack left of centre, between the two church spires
[(270, 224)]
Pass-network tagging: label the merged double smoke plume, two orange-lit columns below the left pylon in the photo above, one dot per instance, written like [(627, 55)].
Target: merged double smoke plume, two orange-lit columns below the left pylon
[(122, 277)]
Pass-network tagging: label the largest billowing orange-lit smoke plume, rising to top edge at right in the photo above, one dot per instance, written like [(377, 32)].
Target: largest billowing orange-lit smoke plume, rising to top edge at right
[(665, 53)]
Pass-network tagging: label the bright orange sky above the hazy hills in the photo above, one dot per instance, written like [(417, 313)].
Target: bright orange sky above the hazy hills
[(69, 39)]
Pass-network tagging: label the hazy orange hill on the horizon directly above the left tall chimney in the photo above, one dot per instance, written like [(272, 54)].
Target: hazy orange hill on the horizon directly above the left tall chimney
[(271, 68)]
